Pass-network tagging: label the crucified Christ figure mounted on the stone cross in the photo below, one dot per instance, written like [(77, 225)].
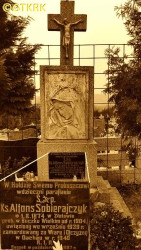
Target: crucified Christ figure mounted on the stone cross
[(67, 32)]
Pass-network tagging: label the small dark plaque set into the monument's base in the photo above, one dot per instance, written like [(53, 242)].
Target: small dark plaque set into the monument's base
[(66, 165)]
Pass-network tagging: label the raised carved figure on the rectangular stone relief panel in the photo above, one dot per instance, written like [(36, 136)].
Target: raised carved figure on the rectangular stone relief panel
[(67, 115)]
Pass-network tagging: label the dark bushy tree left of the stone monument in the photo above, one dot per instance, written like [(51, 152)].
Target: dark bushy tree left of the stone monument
[(16, 64)]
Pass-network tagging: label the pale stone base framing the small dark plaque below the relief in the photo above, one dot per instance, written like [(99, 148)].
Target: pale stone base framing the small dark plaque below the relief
[(88, 147)]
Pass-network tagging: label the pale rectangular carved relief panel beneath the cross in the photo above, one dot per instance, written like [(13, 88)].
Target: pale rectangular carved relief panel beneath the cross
[(66, 105)]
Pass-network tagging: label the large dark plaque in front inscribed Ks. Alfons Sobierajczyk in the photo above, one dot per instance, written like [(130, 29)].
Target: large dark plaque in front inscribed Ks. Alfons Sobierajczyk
[(34, 214)]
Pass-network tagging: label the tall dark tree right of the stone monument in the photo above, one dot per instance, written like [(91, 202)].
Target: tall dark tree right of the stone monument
[(124, 74)]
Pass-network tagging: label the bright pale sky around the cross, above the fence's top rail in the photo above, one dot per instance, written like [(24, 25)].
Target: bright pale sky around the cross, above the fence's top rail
[(103, 26)]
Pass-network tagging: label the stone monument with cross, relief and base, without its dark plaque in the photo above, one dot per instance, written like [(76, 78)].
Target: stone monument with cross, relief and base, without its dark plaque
[(67, 98)]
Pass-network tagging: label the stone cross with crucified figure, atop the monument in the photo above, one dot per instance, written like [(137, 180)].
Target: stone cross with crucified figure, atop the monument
[(67, 22)]
